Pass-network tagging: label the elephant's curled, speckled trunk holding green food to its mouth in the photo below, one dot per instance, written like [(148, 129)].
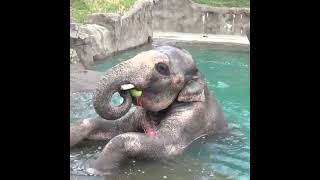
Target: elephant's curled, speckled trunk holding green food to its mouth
[(127, 72)]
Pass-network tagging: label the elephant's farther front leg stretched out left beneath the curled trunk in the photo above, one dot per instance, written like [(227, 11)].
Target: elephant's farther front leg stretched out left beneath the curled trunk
[(101, 129)]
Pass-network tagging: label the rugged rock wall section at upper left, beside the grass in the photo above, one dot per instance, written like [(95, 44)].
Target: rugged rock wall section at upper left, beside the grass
[(102, 34)]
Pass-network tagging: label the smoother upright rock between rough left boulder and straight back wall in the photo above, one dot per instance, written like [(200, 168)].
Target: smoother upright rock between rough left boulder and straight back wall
[(132, 29)]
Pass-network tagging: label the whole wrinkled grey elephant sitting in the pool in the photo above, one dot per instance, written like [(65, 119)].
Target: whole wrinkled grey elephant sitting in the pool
[(178, 106)]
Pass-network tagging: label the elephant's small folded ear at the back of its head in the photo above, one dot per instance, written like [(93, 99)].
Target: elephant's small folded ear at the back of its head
[(193, 91)]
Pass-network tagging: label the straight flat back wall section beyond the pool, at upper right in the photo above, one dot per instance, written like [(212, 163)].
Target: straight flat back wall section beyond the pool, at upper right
[(189, 17)]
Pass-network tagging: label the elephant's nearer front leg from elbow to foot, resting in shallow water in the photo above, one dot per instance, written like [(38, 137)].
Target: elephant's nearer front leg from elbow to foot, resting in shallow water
[(135, 144)]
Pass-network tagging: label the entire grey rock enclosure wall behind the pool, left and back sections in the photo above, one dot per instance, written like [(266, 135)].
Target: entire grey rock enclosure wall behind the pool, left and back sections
[(103, 34)]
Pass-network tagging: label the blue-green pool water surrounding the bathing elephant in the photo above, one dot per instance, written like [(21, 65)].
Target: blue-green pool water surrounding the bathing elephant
[(227, 73)]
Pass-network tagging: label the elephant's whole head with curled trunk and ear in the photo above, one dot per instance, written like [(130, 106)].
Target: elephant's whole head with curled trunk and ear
[(164, 75)]
